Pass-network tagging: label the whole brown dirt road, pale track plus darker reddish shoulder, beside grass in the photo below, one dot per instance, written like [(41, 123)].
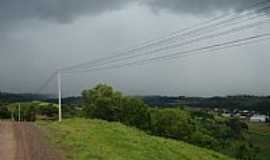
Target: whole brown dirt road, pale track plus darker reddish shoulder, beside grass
[(24, 141)]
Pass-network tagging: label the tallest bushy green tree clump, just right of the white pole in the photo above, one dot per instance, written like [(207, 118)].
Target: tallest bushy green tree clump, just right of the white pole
[(104, 103)]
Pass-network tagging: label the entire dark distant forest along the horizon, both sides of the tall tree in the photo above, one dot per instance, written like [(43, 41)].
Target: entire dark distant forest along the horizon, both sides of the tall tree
[(241, 102)]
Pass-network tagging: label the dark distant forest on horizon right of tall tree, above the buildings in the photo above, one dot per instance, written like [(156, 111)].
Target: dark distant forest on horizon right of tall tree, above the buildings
[(241, 102)]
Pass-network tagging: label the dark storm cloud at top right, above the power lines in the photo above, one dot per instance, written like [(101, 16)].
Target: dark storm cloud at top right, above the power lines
[(200, 6)]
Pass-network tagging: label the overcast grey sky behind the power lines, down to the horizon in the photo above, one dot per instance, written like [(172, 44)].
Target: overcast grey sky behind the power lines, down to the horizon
[(39, 36)]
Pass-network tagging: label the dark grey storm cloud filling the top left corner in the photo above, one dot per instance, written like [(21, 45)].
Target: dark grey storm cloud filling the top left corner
[(59, 10)]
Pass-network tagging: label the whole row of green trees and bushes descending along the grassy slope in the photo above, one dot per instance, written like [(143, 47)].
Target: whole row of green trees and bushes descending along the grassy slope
[(225, 135)]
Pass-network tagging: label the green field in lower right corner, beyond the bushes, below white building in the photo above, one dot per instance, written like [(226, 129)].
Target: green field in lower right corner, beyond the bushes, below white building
[(260, 136)]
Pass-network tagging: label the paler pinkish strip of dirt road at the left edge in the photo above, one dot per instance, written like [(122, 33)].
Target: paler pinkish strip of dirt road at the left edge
[(7, 141)]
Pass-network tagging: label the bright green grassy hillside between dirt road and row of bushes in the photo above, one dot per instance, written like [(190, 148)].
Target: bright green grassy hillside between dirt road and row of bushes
[(85, 139)]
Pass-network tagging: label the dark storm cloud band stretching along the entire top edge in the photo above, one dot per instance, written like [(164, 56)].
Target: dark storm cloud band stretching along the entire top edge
[(65, 11)]
